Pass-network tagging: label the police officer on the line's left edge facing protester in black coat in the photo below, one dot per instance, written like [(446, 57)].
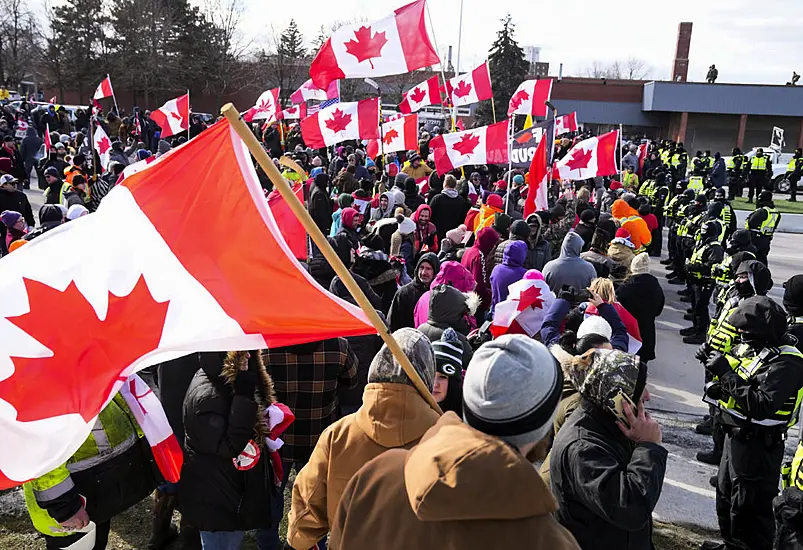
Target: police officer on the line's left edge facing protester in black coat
[(706, 255)]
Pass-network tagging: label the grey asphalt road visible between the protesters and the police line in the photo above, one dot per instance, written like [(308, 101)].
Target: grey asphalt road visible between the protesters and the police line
[(676, 383)]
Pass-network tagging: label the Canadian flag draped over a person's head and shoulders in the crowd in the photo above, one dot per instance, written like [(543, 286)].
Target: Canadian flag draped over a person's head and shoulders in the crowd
[(526, 307)]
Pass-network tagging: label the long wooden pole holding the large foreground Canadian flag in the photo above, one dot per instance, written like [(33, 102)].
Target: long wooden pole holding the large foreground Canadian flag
[(281, 185)]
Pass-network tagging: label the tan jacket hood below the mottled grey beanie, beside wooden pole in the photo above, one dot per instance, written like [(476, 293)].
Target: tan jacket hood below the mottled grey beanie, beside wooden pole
[(394, 415)]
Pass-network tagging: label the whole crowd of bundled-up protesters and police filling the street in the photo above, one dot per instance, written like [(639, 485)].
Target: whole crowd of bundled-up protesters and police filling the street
[(440, 257)]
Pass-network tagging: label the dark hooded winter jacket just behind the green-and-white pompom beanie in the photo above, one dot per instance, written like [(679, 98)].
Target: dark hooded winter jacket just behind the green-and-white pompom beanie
[(449, 308)]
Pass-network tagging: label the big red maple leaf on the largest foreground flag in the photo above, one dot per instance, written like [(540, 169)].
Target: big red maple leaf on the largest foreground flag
[(88, 353)]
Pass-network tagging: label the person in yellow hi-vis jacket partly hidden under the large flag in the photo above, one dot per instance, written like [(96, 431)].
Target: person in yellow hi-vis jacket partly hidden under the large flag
[(109, 473)]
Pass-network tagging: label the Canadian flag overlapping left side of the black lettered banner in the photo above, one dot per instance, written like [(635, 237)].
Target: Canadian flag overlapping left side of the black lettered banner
[(486, 145)]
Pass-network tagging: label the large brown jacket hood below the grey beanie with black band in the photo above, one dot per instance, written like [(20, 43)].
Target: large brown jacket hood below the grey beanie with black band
[(449, 476)]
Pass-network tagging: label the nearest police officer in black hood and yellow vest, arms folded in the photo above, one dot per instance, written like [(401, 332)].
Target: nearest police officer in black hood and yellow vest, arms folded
[(757, 390)]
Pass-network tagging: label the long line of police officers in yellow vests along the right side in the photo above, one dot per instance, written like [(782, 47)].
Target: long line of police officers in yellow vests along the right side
[(749, 349)]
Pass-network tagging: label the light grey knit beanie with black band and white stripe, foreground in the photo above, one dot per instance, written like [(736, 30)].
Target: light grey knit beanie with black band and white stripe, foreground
[(512, 389)]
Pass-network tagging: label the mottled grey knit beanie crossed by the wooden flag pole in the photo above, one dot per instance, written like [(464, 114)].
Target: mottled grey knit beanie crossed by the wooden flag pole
[(416, 346)]
